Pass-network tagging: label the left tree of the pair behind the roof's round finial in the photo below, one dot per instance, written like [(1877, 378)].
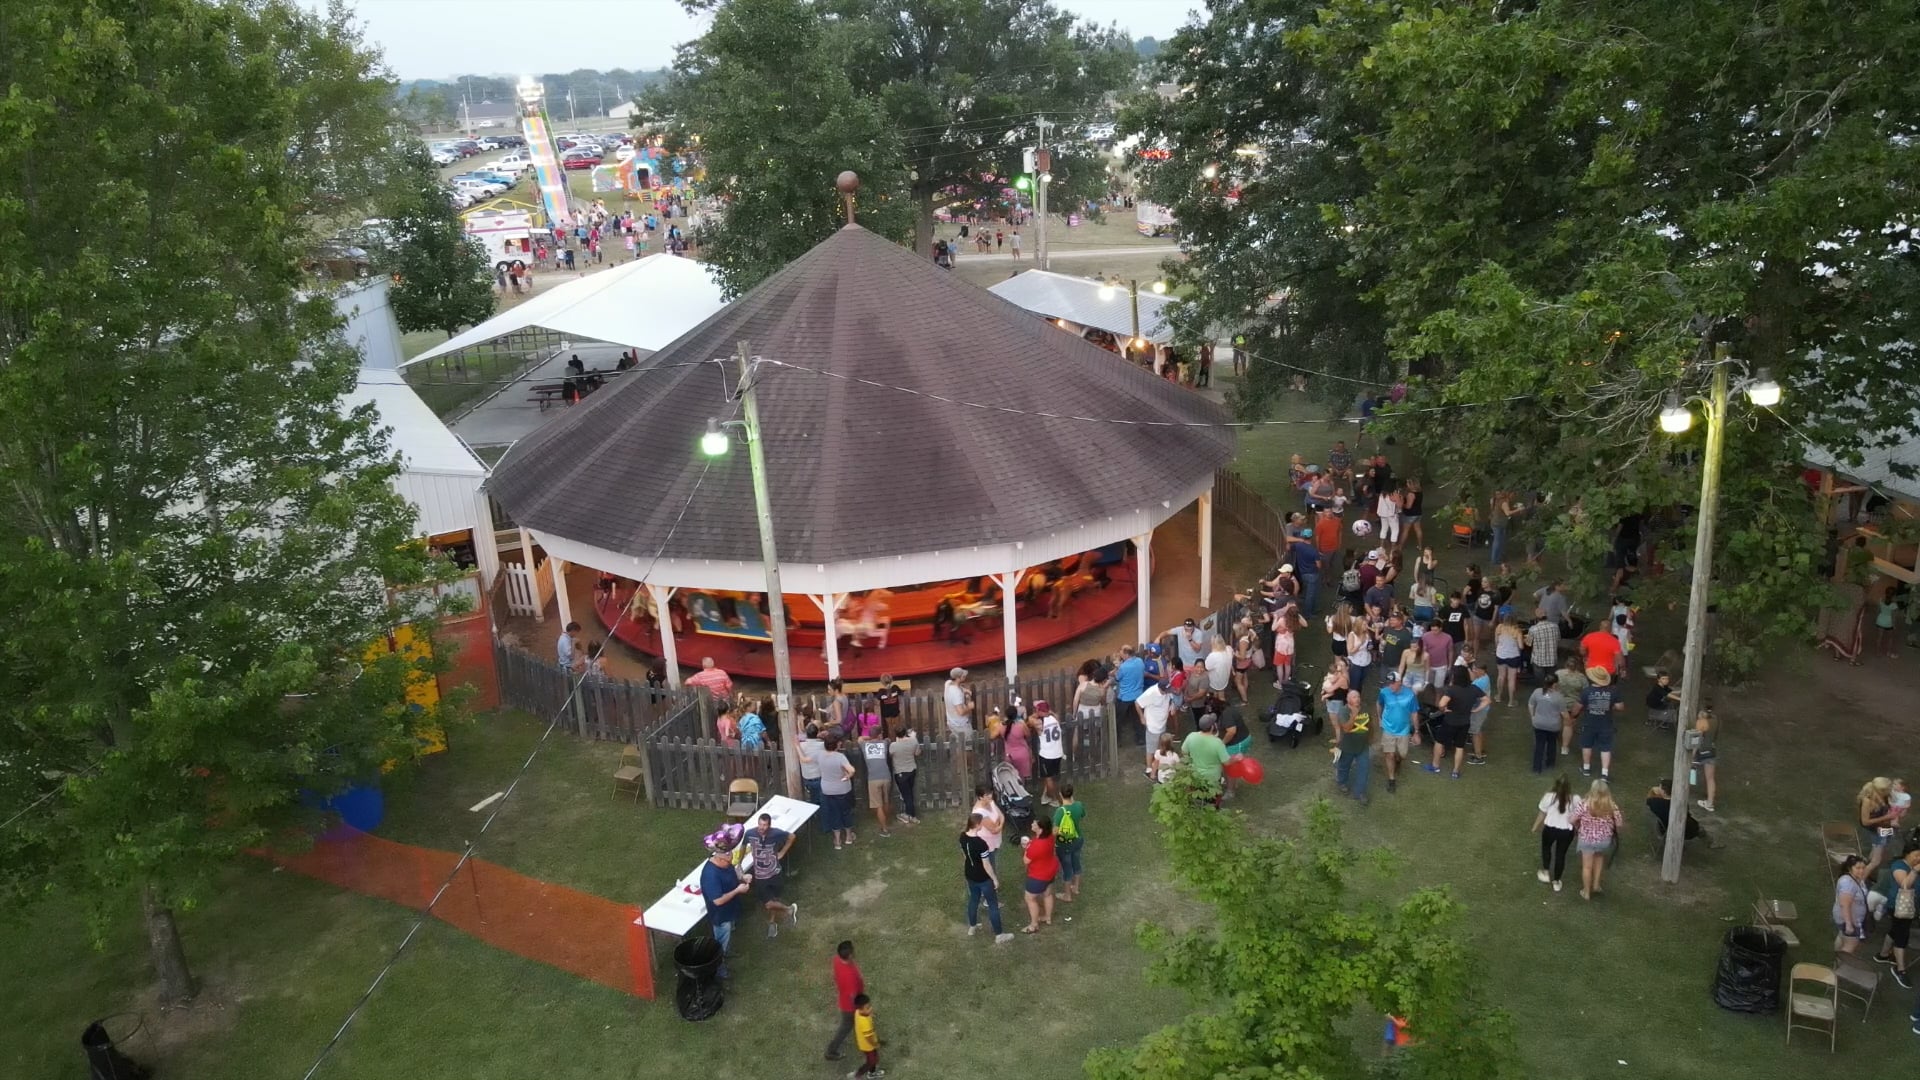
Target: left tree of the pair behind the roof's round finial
[(767, 97)]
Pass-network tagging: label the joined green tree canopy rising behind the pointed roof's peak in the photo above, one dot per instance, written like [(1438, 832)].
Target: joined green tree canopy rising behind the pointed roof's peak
[(930, 101)]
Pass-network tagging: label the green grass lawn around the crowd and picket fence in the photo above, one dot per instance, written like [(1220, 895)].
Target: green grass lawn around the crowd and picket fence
[(1610, 989)]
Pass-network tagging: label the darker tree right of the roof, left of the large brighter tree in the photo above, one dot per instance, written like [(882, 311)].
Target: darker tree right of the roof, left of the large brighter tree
[(1260, 157)]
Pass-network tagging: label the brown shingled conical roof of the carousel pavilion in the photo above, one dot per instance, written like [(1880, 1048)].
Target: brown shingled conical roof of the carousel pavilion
[(863, 472)]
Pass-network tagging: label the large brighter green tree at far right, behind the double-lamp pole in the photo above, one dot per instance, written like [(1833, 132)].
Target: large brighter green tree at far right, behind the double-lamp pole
[(1575, 205)]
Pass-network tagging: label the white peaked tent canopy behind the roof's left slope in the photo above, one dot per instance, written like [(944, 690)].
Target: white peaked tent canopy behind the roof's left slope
[(644, 305)]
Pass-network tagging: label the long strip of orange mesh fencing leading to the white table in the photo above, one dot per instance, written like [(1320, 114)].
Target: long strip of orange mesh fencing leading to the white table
[(560, 927)]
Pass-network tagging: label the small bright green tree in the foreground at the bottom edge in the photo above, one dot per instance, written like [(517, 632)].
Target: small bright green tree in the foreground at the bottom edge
[(1295, 956)]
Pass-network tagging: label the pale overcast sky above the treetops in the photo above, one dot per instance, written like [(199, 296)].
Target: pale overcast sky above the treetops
[(435, 39)]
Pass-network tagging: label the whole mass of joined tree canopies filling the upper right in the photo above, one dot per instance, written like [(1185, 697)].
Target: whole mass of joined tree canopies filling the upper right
[(1548, 216)]
